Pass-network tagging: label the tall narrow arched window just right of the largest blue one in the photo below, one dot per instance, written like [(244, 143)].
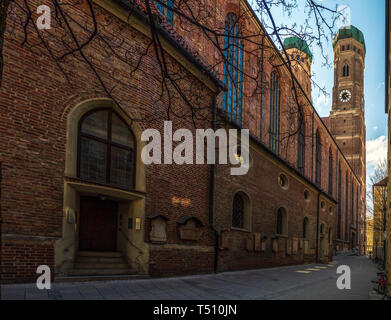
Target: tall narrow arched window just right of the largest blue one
[(274, 140)]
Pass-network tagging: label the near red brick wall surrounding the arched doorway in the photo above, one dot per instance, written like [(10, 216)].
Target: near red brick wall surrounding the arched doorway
[(35, 100)]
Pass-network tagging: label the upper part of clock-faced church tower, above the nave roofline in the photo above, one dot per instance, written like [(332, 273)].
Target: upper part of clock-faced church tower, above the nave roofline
[(347, 117)]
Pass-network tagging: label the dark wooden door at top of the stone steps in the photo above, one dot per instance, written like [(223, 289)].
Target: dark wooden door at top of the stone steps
[(98, 224)]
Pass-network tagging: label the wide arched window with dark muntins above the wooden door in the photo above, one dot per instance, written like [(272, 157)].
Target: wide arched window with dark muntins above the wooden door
[(106, 149)]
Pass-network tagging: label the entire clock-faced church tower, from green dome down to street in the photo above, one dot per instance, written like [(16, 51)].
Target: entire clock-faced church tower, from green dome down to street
[(347, 125)]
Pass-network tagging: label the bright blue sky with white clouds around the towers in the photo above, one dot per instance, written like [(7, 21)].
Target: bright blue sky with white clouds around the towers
[(369, 17)]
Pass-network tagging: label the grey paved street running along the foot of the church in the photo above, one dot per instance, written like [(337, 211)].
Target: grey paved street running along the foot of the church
[(314, 281)]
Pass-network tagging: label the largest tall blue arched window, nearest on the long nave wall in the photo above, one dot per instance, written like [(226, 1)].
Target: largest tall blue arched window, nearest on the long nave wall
[(233, 69)]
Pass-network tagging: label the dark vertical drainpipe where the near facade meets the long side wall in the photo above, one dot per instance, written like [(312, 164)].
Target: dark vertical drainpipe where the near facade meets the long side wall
[(212, 193)]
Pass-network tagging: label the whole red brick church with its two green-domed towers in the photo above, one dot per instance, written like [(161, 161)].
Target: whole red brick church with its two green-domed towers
[(302, 199)]
